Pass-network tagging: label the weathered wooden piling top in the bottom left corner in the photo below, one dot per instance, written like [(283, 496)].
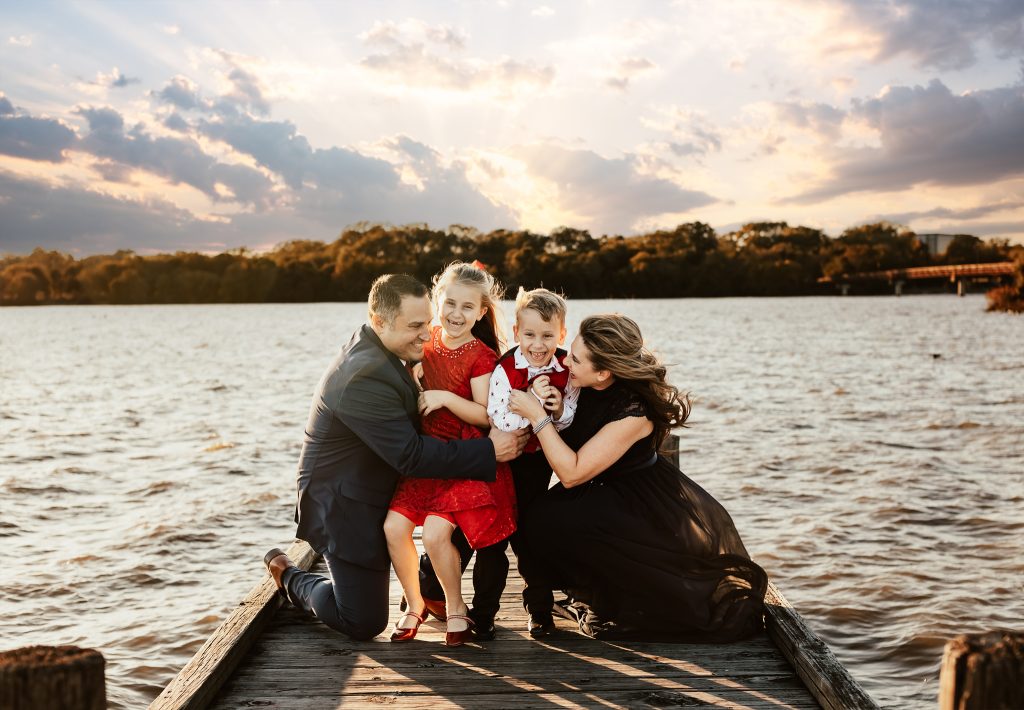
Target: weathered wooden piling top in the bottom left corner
[(47, 678)]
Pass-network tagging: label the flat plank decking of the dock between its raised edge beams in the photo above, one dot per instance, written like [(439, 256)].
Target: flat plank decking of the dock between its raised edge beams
[(300, 663)]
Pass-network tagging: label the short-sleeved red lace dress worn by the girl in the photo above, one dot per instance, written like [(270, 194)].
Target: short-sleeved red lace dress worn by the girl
[(485, 512)]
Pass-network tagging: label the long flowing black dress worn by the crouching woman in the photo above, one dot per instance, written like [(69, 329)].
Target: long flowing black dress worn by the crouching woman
[(642, 549)]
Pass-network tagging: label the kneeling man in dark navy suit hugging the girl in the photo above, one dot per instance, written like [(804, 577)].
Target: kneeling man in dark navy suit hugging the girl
[(363, 434)]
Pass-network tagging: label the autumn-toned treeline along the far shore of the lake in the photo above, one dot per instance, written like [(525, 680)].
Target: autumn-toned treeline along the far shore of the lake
[(760, 260)]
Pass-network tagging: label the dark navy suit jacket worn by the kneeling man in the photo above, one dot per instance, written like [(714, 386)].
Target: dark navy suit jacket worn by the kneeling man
[(362, 435)]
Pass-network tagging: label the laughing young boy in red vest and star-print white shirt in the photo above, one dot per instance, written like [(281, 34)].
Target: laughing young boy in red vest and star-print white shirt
[(537, 363)]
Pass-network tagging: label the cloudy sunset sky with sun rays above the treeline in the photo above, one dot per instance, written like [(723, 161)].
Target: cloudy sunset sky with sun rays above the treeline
[(210, 127)]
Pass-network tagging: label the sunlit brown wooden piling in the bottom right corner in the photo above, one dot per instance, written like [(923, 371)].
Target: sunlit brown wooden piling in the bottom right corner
[(984, 672)]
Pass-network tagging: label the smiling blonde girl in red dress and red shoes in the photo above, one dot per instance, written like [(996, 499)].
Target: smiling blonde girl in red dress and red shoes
[(457, 366)]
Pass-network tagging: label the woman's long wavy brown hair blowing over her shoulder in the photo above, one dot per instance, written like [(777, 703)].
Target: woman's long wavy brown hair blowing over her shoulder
[(616, 345)]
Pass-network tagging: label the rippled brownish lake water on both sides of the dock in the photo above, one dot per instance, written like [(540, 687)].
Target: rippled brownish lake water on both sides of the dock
[(871, 450)]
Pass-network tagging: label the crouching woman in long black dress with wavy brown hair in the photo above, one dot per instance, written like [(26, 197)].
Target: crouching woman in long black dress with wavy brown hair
[(637, 547)]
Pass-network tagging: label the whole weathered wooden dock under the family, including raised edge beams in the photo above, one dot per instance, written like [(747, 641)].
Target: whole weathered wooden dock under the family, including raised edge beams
[(264, 658)]
